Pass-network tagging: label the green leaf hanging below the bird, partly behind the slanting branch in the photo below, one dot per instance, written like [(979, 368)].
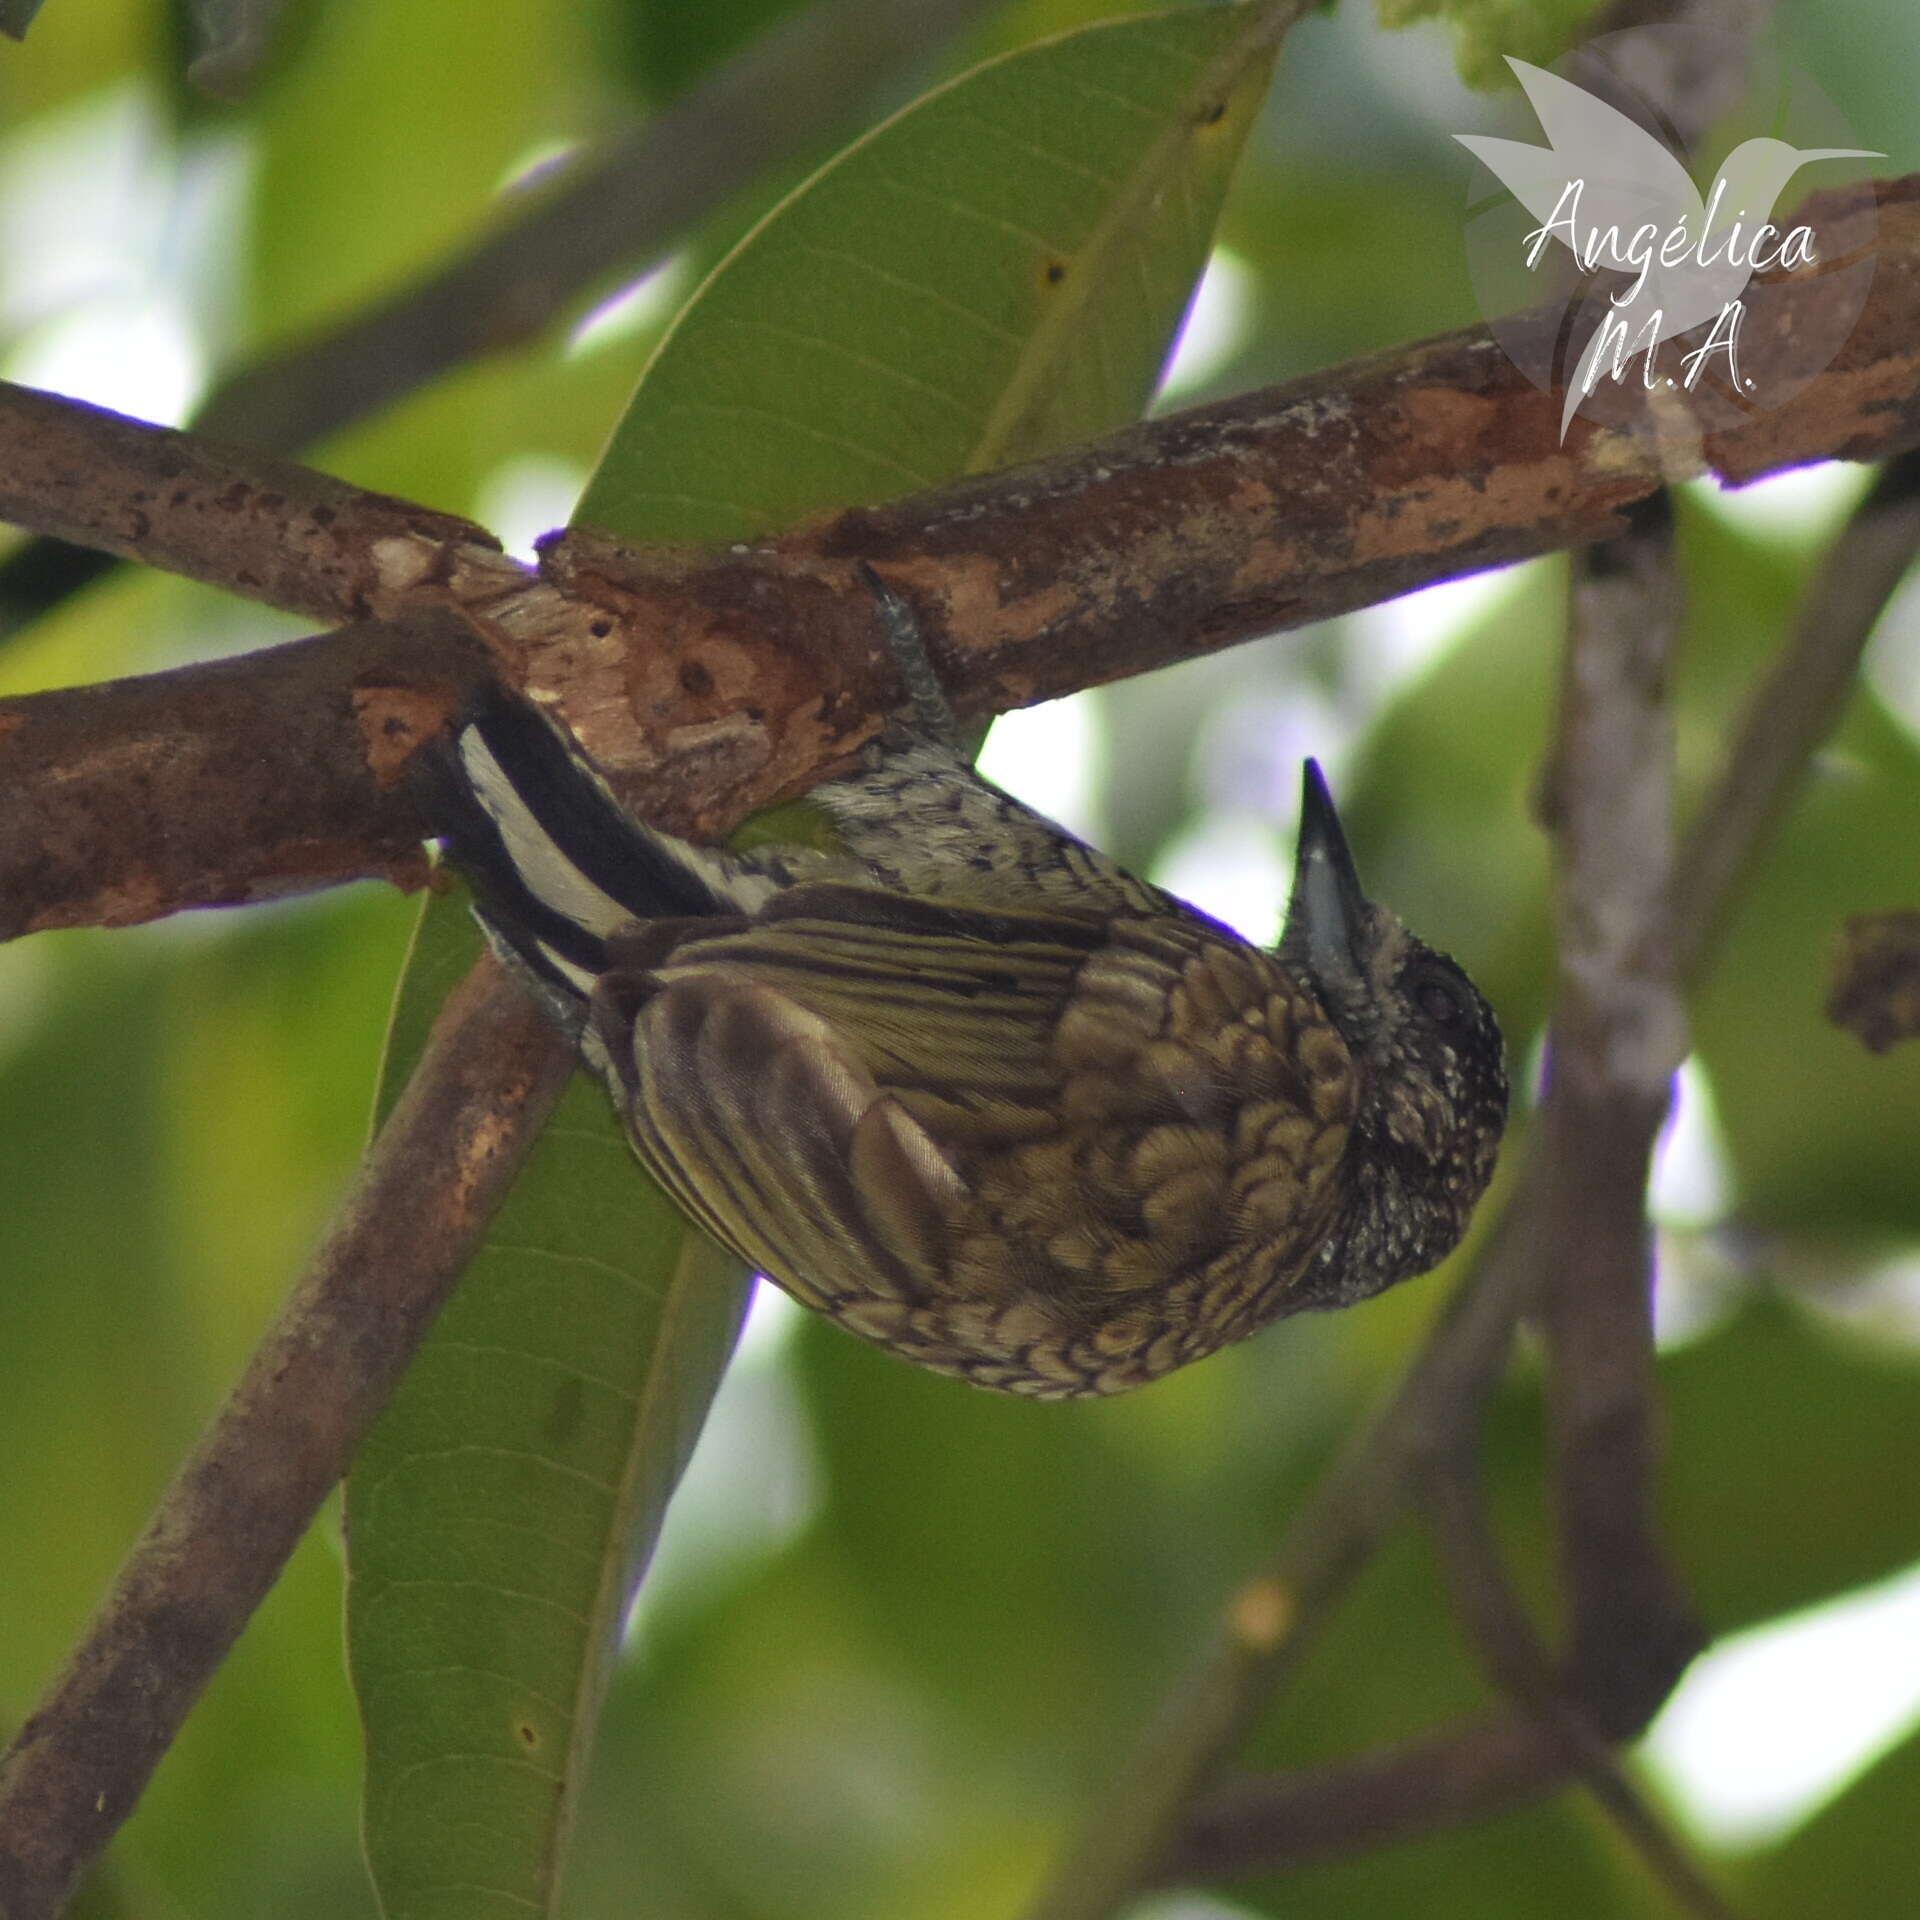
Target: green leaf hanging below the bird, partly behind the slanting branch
[(504, 1510)]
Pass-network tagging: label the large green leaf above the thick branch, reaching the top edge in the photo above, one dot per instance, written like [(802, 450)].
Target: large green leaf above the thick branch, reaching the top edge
[(994, 274)]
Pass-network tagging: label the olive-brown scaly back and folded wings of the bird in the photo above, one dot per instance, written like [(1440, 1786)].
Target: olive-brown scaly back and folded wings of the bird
[(871, 1095)]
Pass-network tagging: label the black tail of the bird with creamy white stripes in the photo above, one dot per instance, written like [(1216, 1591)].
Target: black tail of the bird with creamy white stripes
[(558, 865)]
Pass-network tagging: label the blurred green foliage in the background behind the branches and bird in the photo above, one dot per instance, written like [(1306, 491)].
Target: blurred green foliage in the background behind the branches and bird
[(892, 1689)]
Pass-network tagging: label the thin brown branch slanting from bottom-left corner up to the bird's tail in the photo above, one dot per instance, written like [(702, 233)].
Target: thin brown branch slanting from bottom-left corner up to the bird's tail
[(421, 1203)]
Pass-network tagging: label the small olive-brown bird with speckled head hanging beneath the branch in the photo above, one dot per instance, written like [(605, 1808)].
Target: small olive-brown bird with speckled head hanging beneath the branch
[(963, 1084)]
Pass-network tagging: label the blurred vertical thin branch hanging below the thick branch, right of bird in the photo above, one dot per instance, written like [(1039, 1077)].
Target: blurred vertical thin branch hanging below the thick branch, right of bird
[(1620, 1036)]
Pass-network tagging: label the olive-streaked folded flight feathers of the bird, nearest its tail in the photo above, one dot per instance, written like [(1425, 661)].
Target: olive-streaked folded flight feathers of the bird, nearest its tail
[(815, 1084)]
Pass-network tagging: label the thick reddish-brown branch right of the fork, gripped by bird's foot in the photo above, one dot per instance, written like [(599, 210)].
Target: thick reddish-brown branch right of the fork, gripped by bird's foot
[(1195, 533)]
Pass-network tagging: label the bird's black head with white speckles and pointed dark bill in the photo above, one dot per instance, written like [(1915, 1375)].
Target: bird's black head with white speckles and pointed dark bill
[(1433, 1068)]
